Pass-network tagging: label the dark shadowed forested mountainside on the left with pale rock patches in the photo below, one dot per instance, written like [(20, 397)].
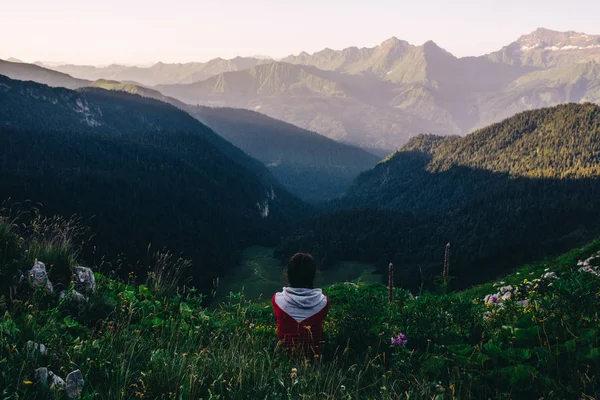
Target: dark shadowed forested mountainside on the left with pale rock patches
[(137, 171)]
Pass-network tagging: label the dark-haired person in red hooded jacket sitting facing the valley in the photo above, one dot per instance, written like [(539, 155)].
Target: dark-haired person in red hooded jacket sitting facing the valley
[(300, 308)]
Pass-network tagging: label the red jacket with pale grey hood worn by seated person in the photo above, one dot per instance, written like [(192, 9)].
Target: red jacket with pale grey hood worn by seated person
[(300, 313)]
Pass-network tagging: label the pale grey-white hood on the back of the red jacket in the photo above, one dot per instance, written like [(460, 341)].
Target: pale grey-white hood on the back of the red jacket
[(300, 303)]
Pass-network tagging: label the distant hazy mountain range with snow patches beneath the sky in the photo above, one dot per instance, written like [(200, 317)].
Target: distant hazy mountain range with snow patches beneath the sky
[(379, 97)]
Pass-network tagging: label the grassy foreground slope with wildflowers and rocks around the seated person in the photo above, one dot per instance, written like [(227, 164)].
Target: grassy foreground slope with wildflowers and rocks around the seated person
[(533, 334)]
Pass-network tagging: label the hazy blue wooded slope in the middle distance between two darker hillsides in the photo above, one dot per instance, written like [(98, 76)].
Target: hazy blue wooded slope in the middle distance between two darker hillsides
[(311, 166)]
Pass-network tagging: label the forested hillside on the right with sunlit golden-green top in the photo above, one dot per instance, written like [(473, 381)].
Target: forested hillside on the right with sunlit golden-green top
[(519, 189)]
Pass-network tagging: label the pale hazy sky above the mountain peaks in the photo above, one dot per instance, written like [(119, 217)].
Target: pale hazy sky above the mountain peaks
[(145, 31)]
